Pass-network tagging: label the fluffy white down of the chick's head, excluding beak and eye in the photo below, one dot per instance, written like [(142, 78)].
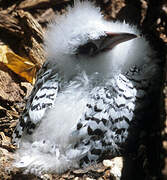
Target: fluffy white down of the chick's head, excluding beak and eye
[(89, 24)]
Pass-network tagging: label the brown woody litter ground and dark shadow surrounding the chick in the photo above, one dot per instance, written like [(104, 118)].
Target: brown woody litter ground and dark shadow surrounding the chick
[(22, 25)]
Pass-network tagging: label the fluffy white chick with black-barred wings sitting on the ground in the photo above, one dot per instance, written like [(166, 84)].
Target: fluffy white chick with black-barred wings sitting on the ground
[(89, 95)]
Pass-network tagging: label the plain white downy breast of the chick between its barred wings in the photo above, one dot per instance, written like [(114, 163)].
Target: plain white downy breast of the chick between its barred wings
[(64, 115)]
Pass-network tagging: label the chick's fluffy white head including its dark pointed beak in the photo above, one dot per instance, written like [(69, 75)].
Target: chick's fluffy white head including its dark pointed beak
[(83, 39)]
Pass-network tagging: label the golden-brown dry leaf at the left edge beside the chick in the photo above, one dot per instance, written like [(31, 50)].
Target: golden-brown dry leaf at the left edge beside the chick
[(21, 66)]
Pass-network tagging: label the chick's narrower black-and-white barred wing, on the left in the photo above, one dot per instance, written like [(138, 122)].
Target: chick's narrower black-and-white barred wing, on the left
[(42, 97)]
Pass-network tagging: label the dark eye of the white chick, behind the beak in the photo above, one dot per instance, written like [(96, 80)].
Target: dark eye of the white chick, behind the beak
[(87, 49)]
